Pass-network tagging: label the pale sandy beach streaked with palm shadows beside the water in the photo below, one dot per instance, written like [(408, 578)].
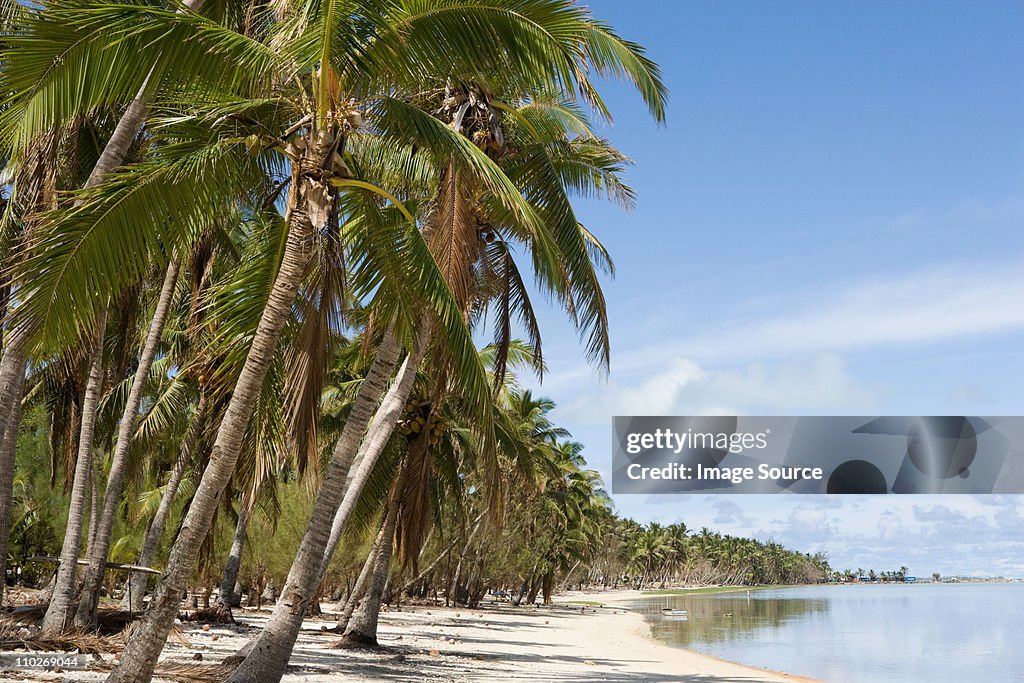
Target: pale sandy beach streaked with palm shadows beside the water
[(563, 643)]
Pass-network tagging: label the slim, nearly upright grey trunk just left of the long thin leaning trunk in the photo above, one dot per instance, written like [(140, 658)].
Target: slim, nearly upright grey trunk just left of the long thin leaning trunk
[(59, 615)]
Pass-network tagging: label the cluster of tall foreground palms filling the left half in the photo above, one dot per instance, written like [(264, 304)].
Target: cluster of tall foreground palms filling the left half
[(207, 203)]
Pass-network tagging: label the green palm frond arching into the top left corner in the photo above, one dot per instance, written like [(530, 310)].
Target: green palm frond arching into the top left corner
[(74, 57)]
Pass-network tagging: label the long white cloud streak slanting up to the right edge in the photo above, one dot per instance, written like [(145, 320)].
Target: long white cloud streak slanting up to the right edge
[(928, 306)]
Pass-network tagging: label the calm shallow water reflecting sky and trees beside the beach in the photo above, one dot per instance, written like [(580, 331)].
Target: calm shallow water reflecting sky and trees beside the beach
[(925, 633)]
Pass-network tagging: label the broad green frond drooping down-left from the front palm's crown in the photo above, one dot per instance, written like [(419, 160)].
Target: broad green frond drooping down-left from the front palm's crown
[(123, 227)]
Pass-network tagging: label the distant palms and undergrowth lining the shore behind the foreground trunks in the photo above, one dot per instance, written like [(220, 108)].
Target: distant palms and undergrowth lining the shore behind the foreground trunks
[(553, 525)]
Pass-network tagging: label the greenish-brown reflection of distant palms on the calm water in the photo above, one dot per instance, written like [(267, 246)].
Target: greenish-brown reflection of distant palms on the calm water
[(728, 617)]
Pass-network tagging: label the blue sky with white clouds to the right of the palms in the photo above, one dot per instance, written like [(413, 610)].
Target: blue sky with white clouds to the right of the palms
[(830, 224)]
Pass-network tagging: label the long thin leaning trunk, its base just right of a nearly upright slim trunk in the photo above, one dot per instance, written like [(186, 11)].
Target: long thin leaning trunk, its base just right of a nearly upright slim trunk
[(100, 547)]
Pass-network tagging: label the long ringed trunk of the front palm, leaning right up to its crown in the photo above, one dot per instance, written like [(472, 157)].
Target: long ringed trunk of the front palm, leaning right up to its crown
[(148, 639)]
